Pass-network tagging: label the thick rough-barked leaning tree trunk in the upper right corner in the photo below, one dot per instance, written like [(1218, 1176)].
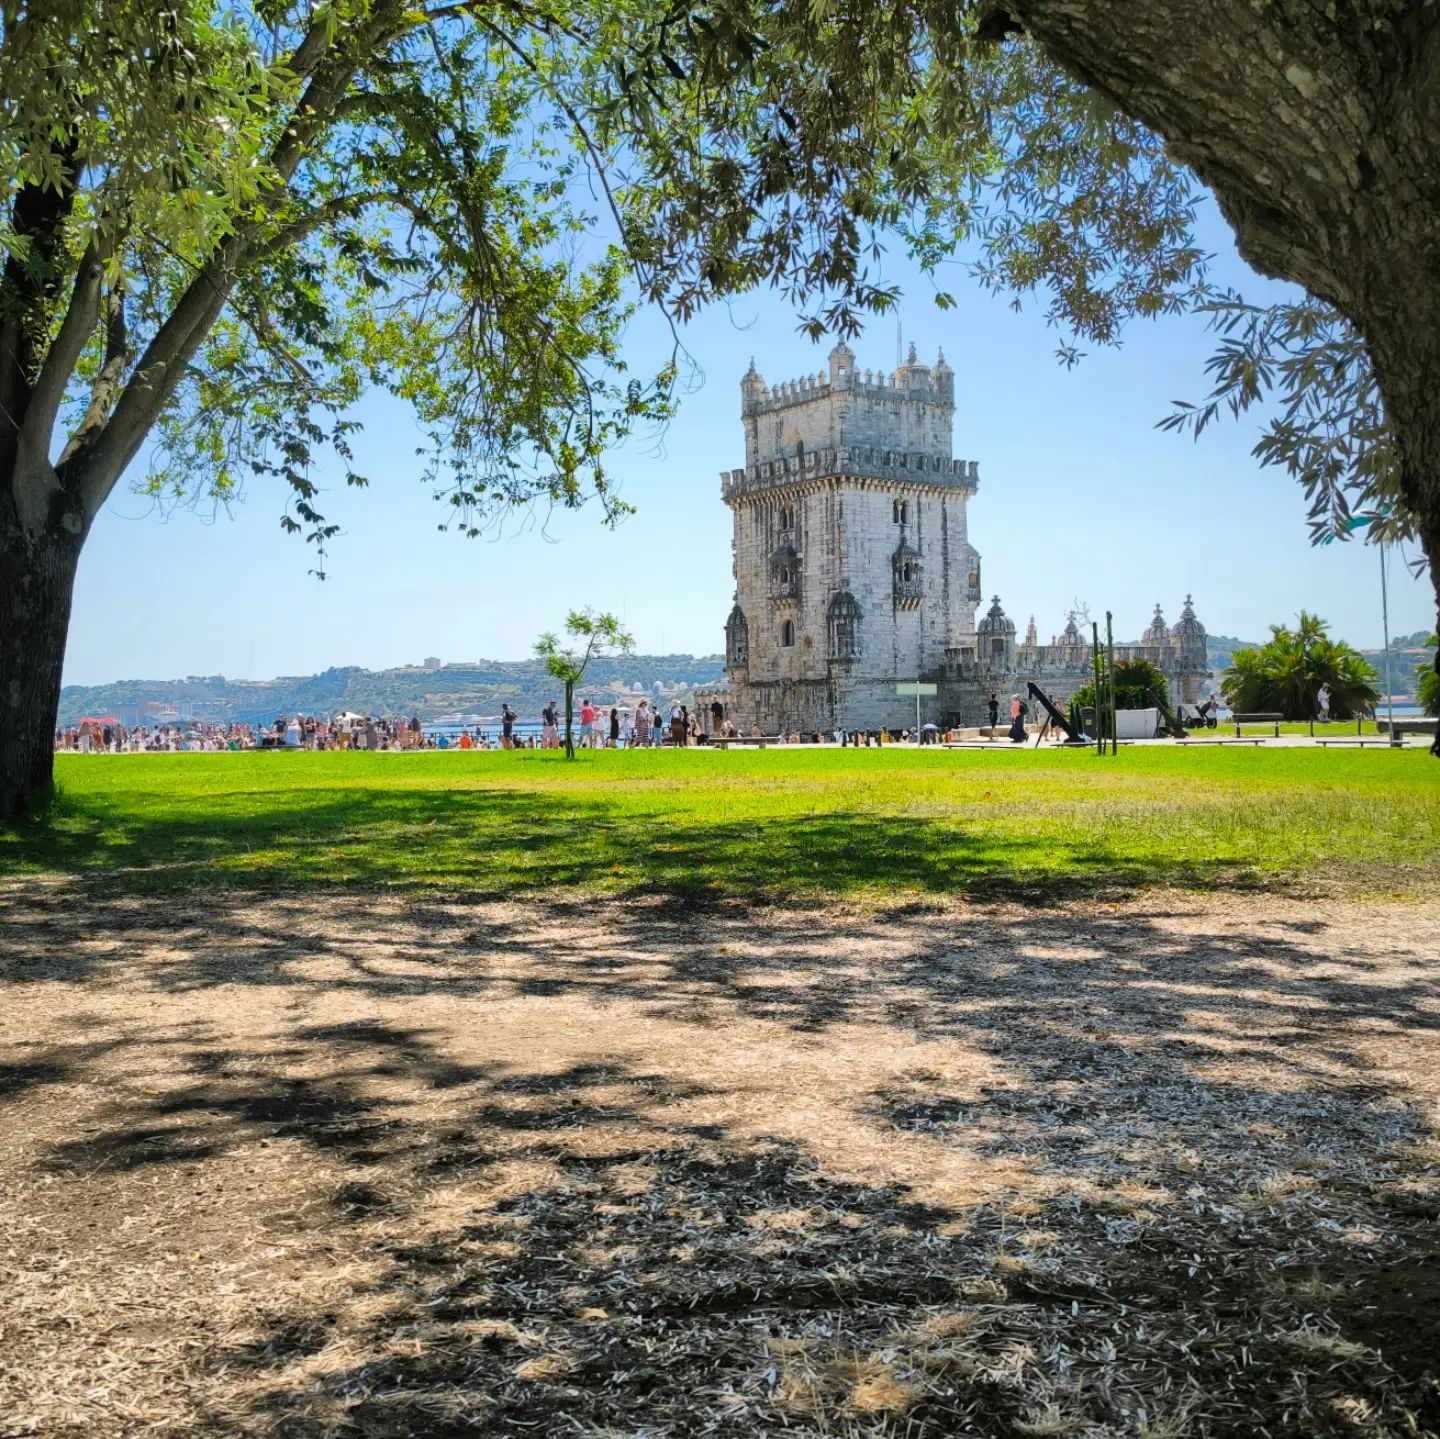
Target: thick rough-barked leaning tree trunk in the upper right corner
[(1318, 130)]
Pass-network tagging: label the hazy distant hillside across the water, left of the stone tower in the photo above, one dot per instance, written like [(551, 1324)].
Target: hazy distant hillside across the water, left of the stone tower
[(454, 689)]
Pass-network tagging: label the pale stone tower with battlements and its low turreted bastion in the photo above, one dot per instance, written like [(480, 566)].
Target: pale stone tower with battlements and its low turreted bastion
[(855, 571)]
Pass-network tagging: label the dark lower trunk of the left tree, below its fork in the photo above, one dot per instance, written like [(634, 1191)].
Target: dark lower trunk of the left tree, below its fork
[(37, 587)]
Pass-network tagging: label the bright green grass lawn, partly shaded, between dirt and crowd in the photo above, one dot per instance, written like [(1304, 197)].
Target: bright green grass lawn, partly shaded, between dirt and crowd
[(770, 825)]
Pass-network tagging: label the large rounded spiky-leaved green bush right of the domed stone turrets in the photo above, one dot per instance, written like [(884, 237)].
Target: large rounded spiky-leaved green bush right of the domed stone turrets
[(1287, 675)]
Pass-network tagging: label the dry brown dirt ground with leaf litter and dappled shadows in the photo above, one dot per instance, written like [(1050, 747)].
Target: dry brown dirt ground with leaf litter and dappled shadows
[(381, 1167)]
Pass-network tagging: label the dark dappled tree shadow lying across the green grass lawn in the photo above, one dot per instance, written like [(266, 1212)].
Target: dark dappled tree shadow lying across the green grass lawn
[(500, 843)]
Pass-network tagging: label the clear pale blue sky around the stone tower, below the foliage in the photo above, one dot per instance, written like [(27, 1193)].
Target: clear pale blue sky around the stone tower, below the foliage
[(1081, 499)]
